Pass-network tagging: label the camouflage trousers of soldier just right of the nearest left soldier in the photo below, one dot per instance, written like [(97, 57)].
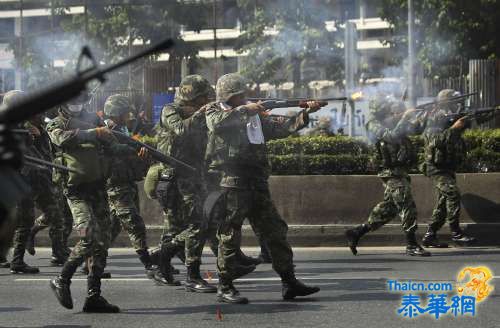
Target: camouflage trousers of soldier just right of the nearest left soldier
[(124, 209)]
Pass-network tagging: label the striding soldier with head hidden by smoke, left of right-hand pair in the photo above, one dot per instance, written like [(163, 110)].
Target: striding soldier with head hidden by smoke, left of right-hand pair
[(395, 156)]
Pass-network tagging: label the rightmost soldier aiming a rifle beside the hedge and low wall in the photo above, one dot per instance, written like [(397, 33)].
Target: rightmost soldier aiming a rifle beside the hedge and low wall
[(444, 152)]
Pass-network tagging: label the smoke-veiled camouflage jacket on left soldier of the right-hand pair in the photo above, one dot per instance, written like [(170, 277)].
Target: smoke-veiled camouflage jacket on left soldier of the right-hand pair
[(395, 153)]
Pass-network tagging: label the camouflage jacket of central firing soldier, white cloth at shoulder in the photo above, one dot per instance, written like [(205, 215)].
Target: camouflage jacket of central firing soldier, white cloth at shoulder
[(230, 151)]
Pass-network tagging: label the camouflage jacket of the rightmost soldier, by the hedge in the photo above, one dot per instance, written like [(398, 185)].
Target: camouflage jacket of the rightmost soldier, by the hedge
[(444, 147)]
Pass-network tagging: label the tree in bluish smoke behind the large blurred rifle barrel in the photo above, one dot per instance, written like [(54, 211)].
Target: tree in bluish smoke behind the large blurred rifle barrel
[(107, 28)]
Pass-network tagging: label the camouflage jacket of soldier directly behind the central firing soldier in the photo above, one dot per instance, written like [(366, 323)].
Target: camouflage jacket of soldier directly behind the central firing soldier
[(183, 137)]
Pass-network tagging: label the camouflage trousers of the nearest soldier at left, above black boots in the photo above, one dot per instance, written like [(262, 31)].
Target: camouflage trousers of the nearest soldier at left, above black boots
[(89, 207)]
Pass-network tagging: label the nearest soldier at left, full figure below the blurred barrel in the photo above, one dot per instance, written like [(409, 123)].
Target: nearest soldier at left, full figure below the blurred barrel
[(82, 149)]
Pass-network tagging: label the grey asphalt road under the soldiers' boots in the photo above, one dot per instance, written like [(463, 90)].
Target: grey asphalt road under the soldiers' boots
[(354, 293)]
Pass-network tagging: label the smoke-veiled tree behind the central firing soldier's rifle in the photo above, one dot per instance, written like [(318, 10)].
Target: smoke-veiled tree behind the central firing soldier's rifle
[(280, 35)]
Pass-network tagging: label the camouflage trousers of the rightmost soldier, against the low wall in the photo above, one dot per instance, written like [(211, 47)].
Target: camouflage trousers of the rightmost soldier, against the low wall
[(448, 201)]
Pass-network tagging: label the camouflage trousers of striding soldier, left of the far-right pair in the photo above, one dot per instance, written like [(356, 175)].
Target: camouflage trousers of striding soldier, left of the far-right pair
[(398, 200)]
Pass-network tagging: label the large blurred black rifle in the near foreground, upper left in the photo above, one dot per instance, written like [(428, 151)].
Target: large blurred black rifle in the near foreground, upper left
[(12, 186)]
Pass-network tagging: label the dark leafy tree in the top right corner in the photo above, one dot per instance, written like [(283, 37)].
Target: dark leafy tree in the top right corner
[(450, 32)]
